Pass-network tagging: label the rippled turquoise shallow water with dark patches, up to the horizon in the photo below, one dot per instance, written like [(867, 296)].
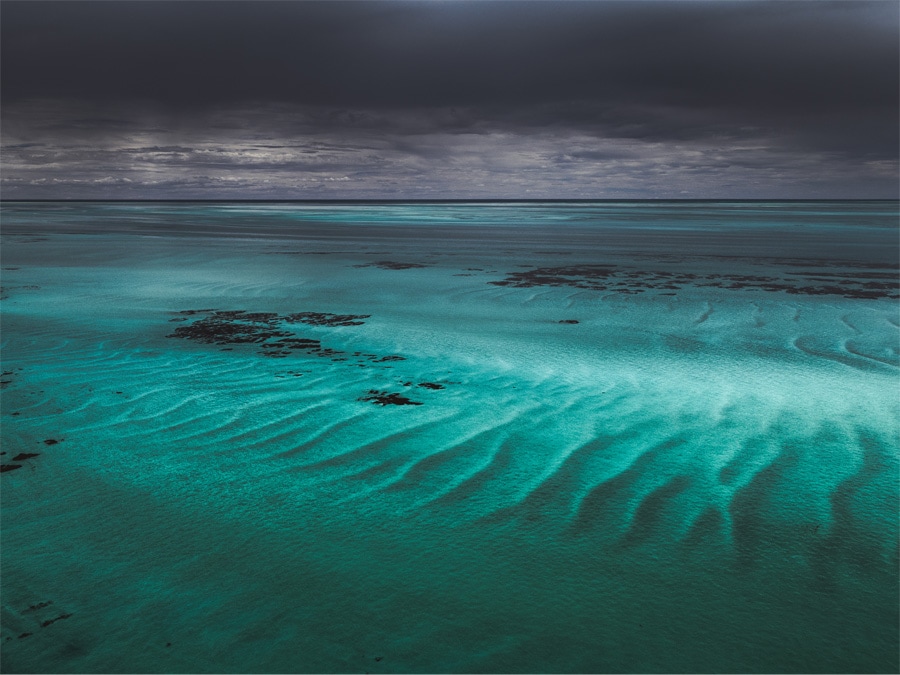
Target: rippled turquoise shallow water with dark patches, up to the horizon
[(650, 437)]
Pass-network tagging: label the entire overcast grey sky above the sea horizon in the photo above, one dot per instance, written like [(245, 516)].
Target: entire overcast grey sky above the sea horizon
[(452, 99)]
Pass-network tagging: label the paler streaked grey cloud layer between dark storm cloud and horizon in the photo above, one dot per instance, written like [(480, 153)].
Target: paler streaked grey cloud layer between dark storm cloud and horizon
[(287, 152)]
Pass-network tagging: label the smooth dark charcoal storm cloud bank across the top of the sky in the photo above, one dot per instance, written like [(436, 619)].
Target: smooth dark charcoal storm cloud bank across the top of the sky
[(783, 55)]
